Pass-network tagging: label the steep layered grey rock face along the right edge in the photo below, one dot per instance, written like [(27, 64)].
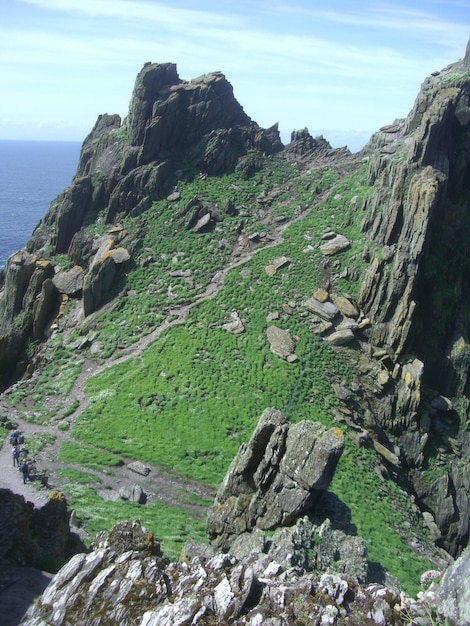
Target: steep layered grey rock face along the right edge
[(416, 289)]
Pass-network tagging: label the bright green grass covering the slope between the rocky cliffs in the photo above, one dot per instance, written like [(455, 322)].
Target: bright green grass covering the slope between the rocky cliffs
[(197, 392)]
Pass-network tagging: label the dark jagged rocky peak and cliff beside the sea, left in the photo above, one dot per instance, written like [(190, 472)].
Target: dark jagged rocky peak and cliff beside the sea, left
[(124, 166)]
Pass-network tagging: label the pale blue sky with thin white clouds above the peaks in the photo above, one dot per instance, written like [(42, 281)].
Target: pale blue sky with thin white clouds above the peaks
[(339, 68)]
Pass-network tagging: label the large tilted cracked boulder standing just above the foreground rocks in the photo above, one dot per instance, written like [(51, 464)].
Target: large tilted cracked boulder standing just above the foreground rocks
[(275, 478)]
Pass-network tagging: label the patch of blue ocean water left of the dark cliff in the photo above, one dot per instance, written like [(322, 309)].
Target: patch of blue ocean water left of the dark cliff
[(32, 174)]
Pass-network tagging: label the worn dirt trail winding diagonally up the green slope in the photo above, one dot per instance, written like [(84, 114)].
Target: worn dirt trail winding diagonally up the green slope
[(161, 484)]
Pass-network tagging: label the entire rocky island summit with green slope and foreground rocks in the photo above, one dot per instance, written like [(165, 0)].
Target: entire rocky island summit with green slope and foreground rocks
[(198, 274)]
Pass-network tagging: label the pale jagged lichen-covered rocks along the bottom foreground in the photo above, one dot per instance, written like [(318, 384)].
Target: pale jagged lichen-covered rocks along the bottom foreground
[(125, 581)]
